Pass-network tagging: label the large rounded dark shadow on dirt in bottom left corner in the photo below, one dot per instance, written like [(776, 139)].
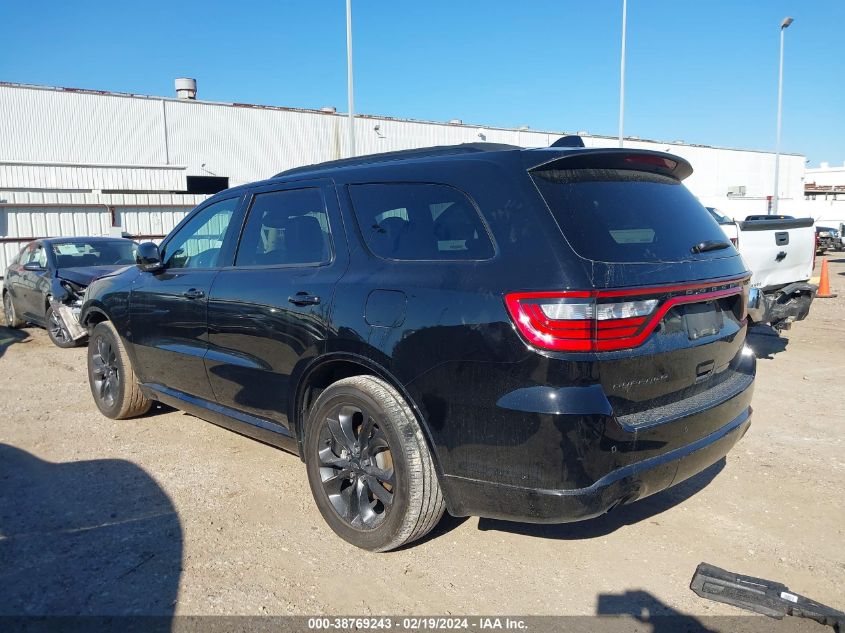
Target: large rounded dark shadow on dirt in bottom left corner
[(86, 538)]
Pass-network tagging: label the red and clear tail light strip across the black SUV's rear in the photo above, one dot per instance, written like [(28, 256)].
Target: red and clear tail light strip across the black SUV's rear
[(603, 320)]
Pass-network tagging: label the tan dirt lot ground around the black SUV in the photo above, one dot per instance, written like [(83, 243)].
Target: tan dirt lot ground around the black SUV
[(168, 513)]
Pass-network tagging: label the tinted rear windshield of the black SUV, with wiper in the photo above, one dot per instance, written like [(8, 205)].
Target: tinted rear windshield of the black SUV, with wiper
[(619, 215)]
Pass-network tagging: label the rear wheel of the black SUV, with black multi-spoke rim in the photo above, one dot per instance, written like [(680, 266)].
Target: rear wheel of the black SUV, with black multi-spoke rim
[(362, 442)]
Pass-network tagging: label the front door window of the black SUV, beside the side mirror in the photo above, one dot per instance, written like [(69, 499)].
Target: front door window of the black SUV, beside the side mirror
[(198, 243)]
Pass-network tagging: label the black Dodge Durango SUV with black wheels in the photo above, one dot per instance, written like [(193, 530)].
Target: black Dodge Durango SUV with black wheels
[(529, 334)]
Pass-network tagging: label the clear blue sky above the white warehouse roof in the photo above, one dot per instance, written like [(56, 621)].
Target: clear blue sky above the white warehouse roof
[(702, 71)]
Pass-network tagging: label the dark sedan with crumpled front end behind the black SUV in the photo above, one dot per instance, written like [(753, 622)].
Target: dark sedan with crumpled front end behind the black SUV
[(44, 284)]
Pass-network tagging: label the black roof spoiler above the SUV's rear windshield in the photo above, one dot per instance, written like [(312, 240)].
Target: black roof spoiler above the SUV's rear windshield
[(608, 158)]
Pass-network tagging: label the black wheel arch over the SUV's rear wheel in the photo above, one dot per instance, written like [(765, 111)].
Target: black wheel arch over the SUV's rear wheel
[(329, 369)]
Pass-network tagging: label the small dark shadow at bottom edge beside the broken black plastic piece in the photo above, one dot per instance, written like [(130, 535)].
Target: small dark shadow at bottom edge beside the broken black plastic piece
[(646, 608)]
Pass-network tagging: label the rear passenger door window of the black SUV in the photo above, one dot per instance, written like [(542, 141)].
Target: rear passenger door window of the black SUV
[(286, 227)]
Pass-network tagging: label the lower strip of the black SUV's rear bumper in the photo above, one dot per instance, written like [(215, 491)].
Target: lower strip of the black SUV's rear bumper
[(624, 485)]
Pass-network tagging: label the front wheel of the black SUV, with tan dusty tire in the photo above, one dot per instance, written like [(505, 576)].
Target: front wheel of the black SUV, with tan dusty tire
[(113, 383)]
